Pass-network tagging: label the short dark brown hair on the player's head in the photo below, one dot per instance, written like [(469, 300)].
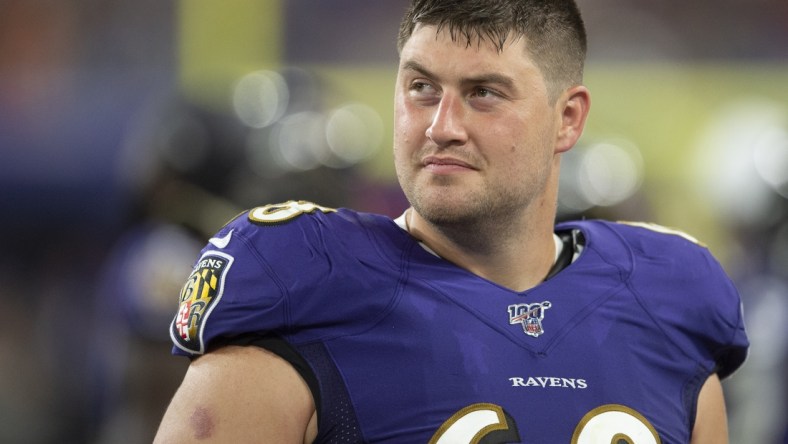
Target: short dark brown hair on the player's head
[(554, 31)]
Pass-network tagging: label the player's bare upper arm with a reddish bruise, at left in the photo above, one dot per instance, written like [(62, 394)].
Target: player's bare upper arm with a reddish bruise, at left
[(240, 394)]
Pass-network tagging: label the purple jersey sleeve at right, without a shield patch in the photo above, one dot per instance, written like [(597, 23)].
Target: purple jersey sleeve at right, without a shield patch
[(697, 306)]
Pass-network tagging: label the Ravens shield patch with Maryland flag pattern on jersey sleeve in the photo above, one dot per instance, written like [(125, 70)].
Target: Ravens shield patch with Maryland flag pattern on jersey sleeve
[(199, 297)]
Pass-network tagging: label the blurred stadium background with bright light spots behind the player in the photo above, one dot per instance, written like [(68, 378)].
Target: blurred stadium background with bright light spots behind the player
[(131, 131)]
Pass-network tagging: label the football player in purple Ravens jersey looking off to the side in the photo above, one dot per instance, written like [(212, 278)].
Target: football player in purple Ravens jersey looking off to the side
[(472, 317)]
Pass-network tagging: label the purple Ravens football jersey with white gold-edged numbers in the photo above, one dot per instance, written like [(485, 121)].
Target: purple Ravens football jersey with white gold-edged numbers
[(402, 346)]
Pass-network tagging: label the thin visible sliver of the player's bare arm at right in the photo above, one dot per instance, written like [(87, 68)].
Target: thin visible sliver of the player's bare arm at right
[(711, 423)]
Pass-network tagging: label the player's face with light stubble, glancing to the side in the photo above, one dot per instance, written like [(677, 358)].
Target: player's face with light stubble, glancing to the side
[(474, 133)]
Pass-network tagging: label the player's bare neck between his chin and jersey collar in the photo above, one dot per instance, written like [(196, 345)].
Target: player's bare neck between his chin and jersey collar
[(518, 260)]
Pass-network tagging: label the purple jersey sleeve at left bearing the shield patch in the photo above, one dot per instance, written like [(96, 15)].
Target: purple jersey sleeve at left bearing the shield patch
[(294, 267)]
